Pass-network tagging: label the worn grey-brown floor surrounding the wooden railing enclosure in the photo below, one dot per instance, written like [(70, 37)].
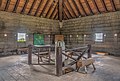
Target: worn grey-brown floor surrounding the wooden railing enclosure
[(15, 68)]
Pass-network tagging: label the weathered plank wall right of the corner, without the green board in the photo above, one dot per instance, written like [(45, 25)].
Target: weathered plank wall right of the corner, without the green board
[(82, 29)]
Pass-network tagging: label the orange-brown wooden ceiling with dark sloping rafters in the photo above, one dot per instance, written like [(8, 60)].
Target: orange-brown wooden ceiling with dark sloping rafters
[(70, 8)]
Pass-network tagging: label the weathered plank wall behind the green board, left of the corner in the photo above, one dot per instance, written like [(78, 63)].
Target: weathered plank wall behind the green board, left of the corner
[(12, 23)]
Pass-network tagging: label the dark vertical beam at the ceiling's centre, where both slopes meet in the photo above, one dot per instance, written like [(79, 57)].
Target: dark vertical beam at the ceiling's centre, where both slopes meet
[(60, 10)]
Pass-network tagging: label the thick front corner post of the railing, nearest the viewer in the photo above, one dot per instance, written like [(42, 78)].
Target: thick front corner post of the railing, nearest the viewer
[(58, 61)]
